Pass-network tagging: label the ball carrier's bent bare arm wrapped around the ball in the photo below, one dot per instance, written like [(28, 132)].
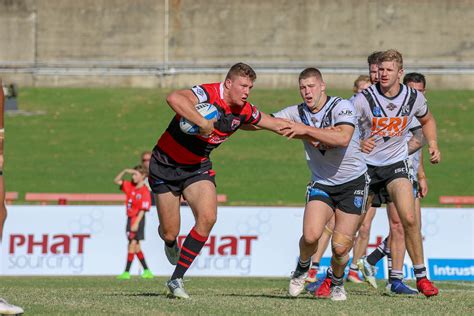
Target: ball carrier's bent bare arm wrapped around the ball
[(183, 102)]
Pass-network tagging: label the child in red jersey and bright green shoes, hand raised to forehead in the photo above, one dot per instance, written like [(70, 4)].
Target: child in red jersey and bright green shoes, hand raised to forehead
[(138, 201)]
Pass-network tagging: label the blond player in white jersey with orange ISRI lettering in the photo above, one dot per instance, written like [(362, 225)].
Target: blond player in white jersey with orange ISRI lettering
[(386, 109)]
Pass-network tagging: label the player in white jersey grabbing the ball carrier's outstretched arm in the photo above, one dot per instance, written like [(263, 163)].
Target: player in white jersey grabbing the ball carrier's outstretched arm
[(339, 182)]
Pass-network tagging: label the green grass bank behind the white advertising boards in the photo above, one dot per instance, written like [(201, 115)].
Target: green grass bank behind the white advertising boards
[(86, 136)]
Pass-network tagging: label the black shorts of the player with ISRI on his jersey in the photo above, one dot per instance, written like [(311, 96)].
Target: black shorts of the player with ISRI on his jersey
[(381, 176)]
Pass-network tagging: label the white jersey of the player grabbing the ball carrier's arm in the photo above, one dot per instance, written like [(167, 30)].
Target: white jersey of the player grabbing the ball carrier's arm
[(336, 165)]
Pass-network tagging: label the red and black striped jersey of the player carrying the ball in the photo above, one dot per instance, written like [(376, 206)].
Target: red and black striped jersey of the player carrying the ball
[(183, 149)]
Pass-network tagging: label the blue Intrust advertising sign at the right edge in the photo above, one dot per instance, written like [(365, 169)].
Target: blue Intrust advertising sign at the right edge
[(451, 269)]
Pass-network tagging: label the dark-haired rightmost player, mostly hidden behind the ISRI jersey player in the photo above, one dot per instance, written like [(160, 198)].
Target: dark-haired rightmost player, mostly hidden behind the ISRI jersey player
[(420, 189)]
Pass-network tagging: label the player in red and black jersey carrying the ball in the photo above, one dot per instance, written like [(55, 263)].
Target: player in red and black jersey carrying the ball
[(180, 164)]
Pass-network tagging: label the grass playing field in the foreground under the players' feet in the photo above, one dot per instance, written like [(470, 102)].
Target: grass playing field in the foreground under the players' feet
[(218, 296)]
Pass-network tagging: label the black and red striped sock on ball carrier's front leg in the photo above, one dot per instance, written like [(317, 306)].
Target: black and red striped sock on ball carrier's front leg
[(189, 250)]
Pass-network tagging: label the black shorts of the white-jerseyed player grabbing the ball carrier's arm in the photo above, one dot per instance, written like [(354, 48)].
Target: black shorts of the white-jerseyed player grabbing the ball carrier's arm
[(349, 197)]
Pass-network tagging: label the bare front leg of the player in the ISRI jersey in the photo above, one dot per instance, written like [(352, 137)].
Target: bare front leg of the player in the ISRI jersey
[(401, 193)]
